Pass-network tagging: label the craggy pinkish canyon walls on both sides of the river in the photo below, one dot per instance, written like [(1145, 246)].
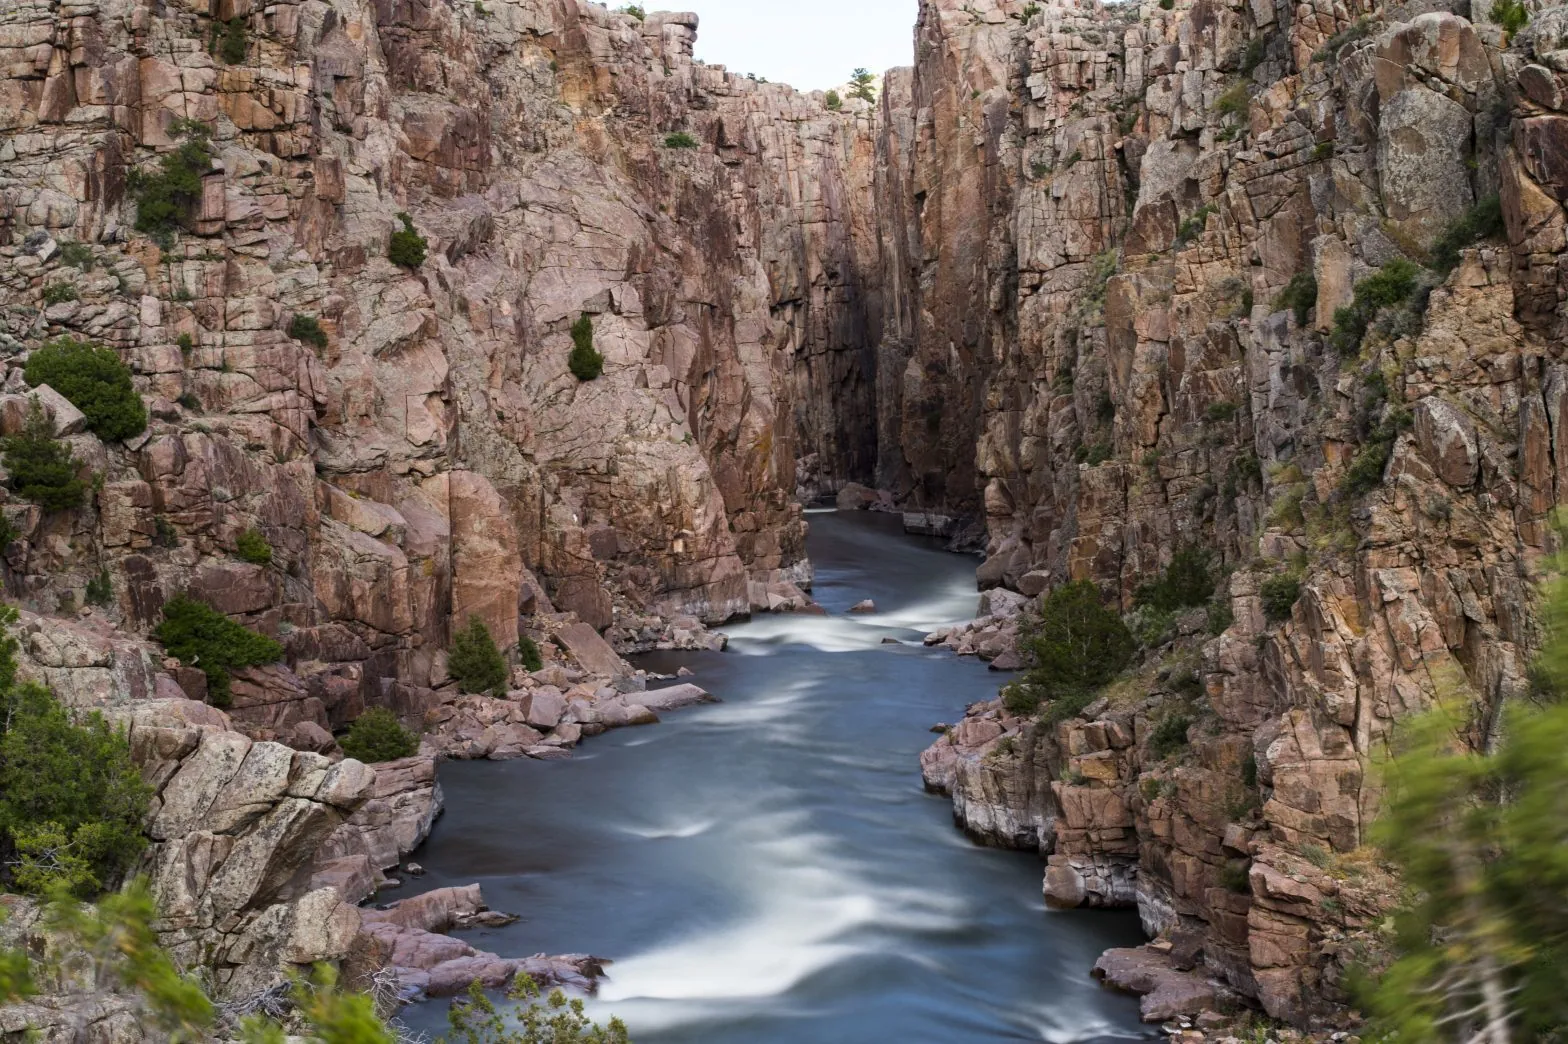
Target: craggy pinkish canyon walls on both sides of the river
[(1051, 285)]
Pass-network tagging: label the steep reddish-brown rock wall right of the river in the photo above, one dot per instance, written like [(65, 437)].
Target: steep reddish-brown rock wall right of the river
[(1131, 190)]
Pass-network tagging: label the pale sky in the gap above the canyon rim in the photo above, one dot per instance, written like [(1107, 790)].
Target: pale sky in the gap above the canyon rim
[(810, 45)]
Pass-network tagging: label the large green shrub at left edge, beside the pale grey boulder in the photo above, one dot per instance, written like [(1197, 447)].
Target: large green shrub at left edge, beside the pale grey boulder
[(71, 799)]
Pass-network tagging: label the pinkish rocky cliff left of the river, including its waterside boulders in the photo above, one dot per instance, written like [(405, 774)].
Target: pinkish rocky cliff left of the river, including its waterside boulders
[(408, 440)]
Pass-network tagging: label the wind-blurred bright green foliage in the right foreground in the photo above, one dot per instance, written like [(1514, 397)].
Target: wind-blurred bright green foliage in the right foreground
[(1476, 819)]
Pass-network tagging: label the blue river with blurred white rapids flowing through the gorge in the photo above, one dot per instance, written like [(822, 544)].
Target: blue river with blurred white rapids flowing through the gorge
[(769, 871)]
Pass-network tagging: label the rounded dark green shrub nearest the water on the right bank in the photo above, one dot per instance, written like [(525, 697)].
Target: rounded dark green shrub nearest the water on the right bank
[(1076, 645)]
